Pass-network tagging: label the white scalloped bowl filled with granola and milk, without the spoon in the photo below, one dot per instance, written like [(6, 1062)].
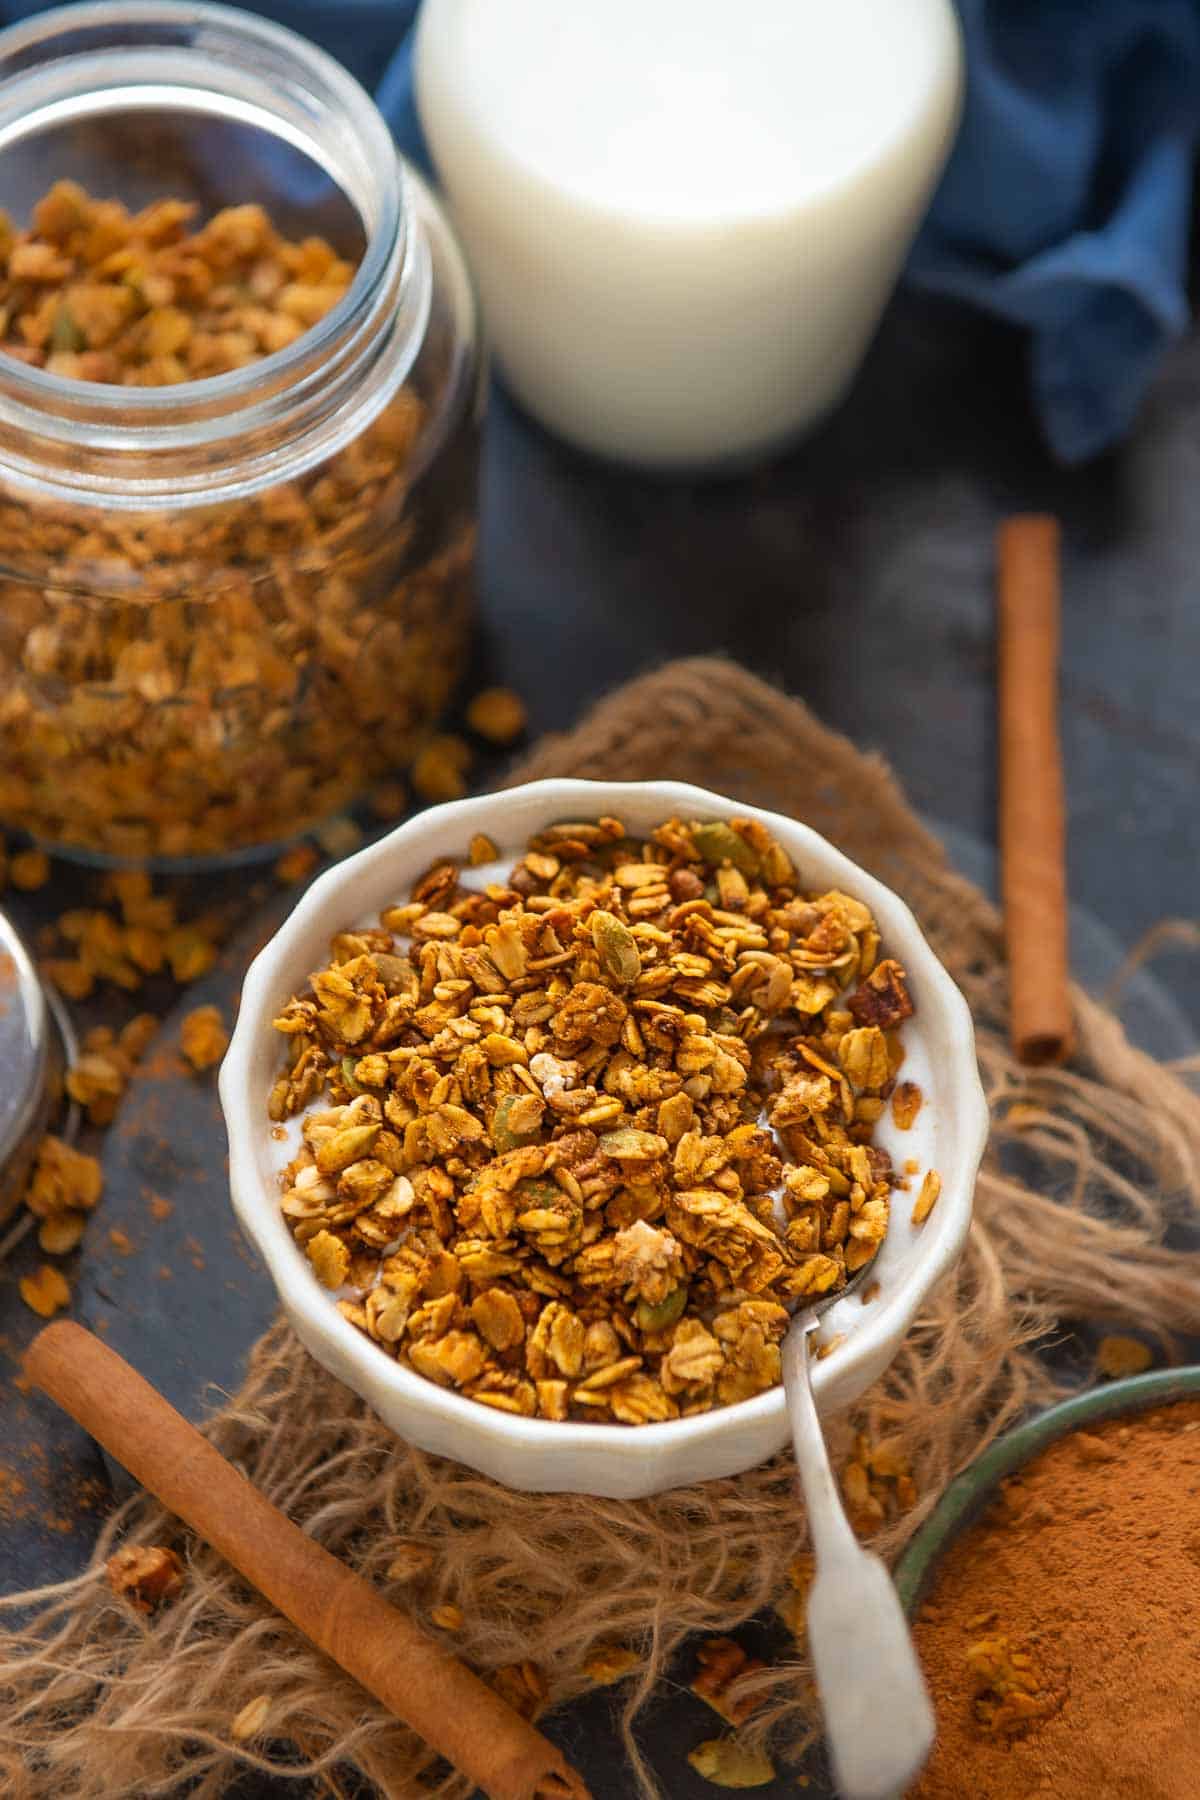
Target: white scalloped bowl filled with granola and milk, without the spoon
[(550, 1110)]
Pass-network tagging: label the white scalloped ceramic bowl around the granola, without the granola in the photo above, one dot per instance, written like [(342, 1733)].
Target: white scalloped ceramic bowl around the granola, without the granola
[(584, 1459)]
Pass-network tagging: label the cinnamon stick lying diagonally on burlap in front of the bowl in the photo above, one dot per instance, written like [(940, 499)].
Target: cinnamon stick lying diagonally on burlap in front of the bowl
[(458, 1714)]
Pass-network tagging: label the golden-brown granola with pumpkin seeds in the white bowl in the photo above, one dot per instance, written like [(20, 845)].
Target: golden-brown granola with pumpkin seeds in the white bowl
[(575, 1140)]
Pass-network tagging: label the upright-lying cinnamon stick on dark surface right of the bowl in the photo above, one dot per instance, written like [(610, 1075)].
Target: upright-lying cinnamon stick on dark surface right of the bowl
[(1032, 791)]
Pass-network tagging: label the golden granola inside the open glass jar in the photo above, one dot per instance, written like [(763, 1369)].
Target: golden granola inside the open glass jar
[(190, 683)]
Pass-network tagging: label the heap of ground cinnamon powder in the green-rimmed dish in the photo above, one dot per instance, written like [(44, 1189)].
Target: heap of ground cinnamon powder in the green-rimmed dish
[(1062, 1635)]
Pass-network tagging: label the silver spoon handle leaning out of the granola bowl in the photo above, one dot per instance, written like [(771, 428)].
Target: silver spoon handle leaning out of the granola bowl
[(877, 1709)]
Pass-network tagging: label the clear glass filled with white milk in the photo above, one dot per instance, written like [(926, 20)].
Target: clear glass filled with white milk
[(686, 217)]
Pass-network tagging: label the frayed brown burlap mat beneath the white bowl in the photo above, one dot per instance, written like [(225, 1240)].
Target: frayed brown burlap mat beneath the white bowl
[(1084, 1174)]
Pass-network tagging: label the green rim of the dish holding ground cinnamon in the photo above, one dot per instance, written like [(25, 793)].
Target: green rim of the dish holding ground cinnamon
[(971, 1493)]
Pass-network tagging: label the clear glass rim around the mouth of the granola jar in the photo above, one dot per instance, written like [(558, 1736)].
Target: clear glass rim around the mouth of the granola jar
[(204, 31)]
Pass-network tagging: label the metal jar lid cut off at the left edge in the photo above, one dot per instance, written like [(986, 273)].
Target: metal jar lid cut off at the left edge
[(31, 1065)]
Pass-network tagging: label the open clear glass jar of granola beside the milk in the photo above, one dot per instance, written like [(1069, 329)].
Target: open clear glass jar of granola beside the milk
[(233, 604)]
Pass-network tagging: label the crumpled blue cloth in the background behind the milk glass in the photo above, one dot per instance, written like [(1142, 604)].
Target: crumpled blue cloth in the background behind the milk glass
[(1066, 204)]
